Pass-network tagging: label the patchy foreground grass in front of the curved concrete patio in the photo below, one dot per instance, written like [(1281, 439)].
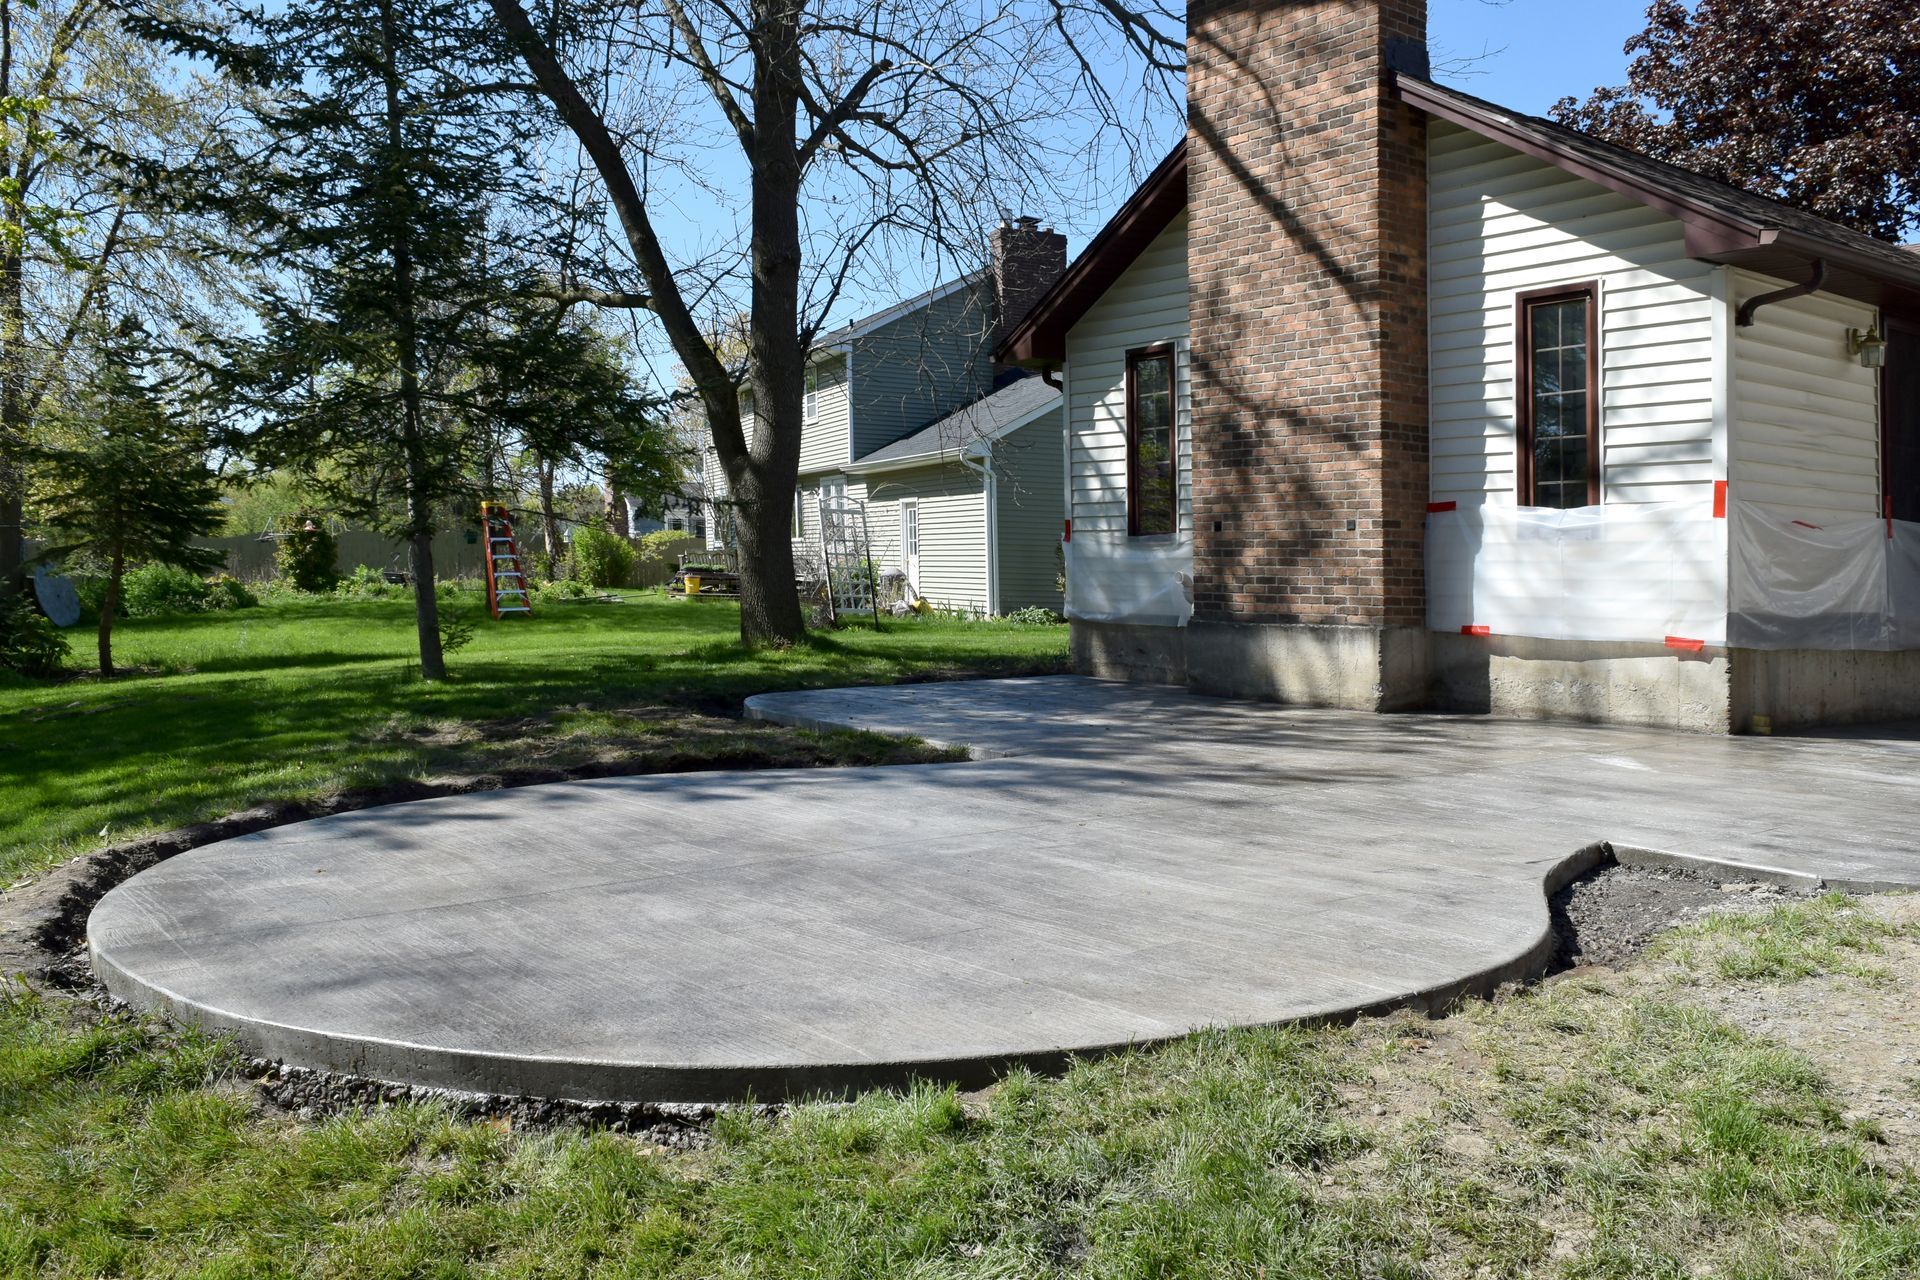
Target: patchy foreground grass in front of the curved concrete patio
[(1604, 1126)]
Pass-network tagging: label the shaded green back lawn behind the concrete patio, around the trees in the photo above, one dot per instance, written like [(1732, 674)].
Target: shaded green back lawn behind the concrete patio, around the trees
[(310, 698)]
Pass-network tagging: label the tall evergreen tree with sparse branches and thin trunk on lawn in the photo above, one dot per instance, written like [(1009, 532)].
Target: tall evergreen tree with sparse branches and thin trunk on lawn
[(383, 199)]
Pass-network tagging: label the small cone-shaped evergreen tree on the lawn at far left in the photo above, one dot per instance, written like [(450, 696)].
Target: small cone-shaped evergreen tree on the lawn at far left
[(130, 483)]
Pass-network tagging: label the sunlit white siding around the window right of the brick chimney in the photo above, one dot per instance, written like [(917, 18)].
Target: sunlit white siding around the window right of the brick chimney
[(1502, 224)]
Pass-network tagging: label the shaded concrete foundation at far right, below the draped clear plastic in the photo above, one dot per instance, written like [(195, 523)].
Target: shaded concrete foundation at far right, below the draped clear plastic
[(1802, 688)]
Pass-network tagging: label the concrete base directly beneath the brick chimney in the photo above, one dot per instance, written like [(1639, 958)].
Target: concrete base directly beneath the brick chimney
[(1355, 667)]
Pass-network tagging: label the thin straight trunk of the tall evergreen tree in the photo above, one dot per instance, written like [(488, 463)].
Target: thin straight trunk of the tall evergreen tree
[(414, 423)]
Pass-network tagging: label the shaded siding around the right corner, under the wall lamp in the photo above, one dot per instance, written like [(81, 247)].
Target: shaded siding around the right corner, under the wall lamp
[(1806, 415)]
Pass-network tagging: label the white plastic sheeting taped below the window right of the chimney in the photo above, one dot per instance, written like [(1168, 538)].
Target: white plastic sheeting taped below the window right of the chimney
[(1616, 573)]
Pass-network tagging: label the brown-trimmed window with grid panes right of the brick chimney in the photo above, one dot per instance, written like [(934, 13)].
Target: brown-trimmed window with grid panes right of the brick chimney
[(1558, 396)]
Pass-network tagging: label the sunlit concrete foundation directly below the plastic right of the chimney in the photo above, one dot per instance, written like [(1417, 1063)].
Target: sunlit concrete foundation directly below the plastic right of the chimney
[(1581, 680)]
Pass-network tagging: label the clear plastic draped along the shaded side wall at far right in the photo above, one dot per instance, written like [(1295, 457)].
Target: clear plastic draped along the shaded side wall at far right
[(1836, 584)]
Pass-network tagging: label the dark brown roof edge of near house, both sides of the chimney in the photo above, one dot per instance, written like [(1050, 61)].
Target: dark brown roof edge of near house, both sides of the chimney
[(1723, 224)]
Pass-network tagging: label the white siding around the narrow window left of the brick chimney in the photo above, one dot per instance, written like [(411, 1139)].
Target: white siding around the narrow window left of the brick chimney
[(1145, 306)]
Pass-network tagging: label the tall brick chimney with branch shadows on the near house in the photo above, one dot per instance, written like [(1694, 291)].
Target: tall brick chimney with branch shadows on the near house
[(1308, 272)]
